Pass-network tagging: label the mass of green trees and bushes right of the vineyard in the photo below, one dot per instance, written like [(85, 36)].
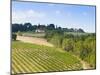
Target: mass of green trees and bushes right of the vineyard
[(83, 46)]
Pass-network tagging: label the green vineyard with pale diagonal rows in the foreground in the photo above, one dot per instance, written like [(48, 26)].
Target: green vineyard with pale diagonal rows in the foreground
[(31, 58)]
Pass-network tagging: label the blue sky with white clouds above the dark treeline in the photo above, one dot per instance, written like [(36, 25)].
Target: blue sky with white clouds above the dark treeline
[(63, 15)]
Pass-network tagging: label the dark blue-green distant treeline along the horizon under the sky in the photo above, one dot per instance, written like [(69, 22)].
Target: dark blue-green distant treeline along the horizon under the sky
[(29, 27)]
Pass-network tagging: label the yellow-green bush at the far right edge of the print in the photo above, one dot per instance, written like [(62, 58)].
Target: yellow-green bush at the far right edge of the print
[(90, 43)]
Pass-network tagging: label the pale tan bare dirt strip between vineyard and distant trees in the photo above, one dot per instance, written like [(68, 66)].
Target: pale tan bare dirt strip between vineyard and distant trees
[(34, 40)]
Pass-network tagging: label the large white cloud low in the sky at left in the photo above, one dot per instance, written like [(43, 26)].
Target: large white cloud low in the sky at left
[(27, 15)]
